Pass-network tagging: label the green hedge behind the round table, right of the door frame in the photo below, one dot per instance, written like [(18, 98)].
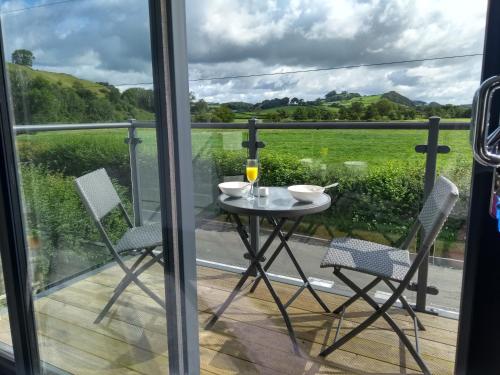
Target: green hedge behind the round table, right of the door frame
[(383, 200)]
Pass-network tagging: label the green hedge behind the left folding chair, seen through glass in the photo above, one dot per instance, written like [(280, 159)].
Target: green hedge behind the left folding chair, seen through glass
[(57, 219)]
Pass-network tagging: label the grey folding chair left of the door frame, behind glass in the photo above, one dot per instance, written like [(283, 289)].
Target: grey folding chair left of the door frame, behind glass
[(100, 198)]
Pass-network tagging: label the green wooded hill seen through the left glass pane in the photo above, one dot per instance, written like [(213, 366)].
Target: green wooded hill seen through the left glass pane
[(42, 97)]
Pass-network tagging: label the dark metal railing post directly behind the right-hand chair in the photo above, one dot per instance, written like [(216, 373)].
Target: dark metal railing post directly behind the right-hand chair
[(429, 179)]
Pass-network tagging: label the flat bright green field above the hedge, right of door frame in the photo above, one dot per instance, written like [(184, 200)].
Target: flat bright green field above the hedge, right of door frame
[(334, 147)]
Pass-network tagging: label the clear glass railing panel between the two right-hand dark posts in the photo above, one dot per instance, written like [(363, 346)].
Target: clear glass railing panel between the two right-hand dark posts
[(377, 198)]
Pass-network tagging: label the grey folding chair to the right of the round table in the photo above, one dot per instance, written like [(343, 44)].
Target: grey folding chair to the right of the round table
[(389, 265)]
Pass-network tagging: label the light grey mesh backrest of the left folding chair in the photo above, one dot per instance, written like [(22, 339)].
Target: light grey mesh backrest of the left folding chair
[(97, 193)]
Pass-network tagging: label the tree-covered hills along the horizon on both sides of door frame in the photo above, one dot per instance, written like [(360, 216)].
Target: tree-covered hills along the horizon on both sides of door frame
[(41, 97)]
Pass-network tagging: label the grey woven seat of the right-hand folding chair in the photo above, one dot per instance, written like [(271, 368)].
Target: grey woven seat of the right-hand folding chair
[(368, 257)]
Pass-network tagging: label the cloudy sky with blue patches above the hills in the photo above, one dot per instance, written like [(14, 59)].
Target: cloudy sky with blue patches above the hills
[(108, 40)]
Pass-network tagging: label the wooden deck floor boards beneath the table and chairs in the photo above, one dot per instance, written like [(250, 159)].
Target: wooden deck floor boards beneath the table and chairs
[(250, 338)]
